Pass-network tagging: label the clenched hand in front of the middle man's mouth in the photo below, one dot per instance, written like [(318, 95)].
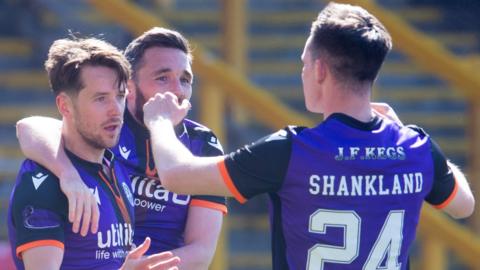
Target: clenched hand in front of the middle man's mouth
[(165, 106)]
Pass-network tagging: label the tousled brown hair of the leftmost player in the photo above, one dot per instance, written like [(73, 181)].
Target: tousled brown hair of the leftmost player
[(66, 58)]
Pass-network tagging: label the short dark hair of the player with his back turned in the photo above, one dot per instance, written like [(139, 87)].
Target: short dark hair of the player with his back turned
[(352, 41)]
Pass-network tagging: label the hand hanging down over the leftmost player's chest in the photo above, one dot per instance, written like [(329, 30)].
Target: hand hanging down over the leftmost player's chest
[(82, 204)]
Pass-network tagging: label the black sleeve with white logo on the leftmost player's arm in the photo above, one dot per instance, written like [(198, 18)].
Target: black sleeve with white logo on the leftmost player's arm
[(39, 208)]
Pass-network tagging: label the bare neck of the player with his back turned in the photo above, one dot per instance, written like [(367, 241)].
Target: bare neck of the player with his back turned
[(354, 102)]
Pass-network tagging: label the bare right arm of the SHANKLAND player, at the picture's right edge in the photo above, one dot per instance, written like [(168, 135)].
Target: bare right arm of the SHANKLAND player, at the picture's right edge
[(463, 202)]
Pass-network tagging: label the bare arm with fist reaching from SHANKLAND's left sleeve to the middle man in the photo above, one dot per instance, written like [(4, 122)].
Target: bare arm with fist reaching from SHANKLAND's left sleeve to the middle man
[(180, 171)]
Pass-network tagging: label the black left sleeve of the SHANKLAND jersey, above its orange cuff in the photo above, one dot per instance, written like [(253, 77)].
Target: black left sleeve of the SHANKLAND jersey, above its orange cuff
[(261, 167)]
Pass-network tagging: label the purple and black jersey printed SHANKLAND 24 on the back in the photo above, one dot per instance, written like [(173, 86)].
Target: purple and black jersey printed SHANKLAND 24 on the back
[(344, 194)]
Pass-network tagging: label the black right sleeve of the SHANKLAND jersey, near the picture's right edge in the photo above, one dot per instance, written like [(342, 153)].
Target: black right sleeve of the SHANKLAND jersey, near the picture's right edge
[(444, 180)]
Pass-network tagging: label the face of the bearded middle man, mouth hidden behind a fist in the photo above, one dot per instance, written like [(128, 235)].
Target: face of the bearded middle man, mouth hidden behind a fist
[(162, 70)]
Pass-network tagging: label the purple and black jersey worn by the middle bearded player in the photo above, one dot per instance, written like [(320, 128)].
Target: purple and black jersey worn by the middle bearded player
[(159, 213)]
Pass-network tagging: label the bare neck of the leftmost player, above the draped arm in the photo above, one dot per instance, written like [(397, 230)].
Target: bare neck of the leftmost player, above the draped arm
[(75, 143)]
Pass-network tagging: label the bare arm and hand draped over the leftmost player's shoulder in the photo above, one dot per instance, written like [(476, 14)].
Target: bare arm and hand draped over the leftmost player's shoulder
[(40, 140)]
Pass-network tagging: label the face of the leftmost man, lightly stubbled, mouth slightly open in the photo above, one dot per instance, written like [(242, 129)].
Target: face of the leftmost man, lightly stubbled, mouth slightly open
[(98, 108)]
